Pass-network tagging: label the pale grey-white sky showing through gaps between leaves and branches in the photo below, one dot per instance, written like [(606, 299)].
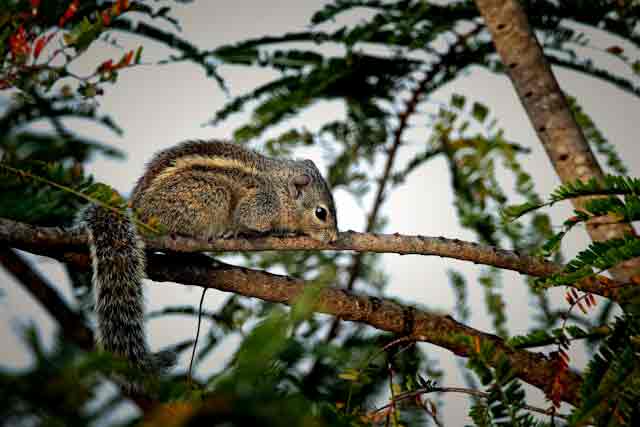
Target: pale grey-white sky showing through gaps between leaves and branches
[(158, 106)]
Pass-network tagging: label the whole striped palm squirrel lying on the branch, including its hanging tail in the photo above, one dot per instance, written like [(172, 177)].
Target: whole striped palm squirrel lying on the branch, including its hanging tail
[(197, 189)]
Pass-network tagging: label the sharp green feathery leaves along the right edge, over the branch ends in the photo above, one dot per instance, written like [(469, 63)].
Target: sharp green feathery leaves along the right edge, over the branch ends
[(603, 399)]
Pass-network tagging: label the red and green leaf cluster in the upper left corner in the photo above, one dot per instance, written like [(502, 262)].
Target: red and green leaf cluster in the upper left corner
[(30, 29)]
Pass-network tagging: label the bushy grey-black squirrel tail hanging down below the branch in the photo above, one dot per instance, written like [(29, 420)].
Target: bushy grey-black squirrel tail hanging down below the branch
[(118, 257)]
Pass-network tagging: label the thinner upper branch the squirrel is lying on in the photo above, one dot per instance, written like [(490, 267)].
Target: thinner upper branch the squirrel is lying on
[(72, 243)]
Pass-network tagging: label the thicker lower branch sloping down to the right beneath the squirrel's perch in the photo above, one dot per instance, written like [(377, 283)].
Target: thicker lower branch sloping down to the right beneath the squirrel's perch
[(199, 270)]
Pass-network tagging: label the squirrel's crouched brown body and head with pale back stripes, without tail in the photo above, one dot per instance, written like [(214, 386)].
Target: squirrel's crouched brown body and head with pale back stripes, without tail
[(216, 189)]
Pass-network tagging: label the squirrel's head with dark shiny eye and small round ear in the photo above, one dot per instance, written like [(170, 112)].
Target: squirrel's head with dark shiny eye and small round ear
[(315, 209)]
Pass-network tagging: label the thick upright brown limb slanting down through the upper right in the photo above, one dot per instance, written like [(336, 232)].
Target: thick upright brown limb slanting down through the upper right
[(548, 111)]
